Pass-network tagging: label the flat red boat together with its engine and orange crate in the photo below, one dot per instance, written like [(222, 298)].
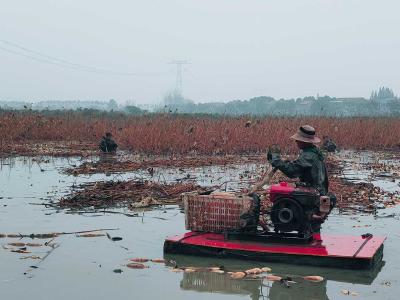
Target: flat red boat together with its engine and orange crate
[(225, 225)]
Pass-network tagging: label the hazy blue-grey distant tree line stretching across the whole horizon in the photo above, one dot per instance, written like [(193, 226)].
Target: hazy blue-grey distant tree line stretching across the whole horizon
[(382, 102)]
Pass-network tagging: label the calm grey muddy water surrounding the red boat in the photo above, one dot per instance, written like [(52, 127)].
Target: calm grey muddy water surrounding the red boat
[(82, 268)]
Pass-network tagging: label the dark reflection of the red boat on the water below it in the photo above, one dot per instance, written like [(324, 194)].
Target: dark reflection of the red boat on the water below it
[(208, 282)]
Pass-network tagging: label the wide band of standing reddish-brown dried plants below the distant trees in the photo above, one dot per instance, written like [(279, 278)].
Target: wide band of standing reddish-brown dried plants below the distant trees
[(174, 134)]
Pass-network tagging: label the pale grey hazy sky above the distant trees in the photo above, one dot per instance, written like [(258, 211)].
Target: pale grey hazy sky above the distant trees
[(237, 48)]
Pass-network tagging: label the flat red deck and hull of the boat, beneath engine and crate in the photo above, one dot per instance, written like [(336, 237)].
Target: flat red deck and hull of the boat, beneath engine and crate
[(324, 250)]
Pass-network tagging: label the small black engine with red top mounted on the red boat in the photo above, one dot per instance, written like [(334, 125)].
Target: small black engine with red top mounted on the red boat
[(299, 208)]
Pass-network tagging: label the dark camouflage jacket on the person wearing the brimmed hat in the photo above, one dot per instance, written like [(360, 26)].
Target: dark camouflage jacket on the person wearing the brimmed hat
[(309, 167)]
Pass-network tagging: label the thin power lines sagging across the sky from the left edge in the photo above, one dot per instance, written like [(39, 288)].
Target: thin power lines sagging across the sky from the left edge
[(44, 58)]
